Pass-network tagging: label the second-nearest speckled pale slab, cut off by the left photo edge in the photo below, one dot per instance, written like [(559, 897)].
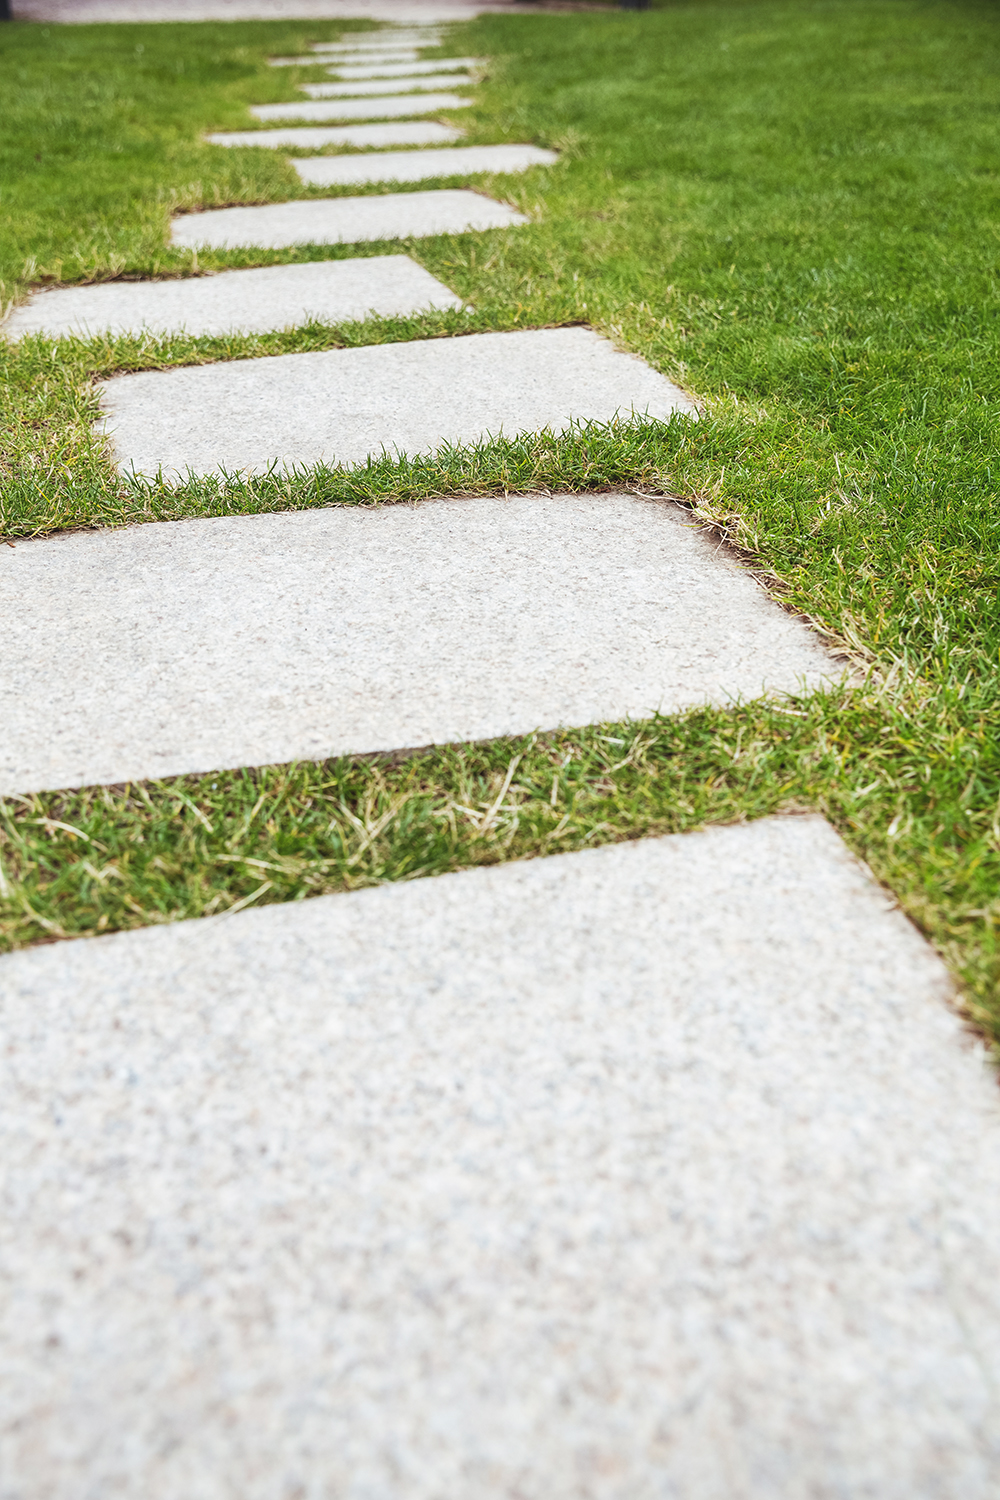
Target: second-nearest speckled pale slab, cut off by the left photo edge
[(251, 640)]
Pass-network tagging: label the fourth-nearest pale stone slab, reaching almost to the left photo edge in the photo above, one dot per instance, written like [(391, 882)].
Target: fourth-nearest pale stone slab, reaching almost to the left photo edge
[(232, 302)]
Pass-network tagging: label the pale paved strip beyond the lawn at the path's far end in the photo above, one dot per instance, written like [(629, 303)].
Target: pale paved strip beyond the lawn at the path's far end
[(419, 13)]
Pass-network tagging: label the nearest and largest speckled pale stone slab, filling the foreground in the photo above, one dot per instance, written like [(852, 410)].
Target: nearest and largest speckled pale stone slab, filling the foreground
[(391, 1195)]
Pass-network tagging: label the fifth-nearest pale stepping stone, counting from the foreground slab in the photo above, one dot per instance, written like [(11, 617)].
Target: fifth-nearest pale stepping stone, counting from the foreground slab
[(344, 221)]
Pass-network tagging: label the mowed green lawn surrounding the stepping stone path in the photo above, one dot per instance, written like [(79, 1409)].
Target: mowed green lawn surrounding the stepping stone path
[(792, 211)]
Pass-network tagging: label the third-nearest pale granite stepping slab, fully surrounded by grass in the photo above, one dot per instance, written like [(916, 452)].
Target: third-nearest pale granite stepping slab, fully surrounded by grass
[(343, 406)]
